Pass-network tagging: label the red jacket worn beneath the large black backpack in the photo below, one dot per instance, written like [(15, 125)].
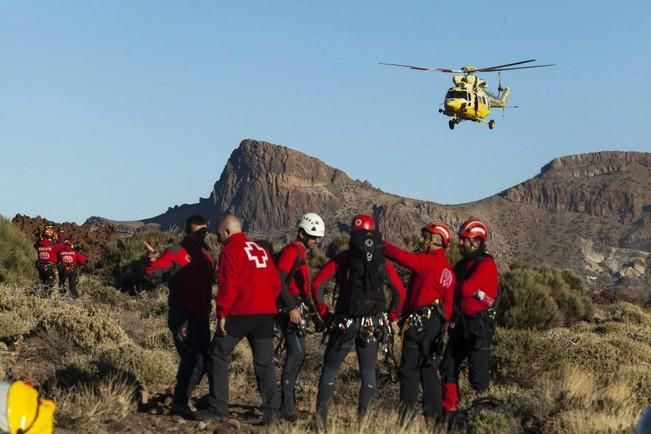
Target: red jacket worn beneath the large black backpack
[(339, 266)]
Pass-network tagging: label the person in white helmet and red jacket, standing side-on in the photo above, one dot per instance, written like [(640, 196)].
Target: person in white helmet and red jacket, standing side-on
[(295, 296)]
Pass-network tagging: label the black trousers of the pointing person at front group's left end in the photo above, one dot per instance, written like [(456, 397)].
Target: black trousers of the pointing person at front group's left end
[(191, 333)]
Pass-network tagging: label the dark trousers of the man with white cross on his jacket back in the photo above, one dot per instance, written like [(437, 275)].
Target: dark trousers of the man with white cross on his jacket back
[(258, 331)]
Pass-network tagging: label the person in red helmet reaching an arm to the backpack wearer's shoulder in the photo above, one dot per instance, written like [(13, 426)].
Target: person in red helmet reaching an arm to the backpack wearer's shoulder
[(428, 306)]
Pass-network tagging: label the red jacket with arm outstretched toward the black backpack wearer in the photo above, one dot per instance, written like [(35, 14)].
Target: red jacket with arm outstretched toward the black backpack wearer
[(431, 278)]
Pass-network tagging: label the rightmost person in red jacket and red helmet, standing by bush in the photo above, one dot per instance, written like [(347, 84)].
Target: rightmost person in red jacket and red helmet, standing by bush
[(474, 323)]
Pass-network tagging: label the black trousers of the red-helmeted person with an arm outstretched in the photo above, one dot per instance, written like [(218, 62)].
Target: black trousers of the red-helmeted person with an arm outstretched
[(418, 367)]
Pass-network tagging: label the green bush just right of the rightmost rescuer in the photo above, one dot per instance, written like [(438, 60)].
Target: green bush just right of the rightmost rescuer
[(541, 298)]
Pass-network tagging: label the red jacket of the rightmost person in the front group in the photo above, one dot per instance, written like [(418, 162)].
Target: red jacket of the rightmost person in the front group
[(473, 275)]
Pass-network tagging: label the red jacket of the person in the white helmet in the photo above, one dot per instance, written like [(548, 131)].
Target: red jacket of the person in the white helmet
[(294, 255)]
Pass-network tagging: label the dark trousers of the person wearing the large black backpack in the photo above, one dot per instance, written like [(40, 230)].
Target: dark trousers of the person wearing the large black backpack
[(339, 345)]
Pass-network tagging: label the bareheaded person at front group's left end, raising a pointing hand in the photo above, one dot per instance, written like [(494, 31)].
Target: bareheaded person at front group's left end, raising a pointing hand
[(190, 271)]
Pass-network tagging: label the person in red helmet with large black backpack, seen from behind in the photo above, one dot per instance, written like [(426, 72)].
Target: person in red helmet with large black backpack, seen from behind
[(360, 316)]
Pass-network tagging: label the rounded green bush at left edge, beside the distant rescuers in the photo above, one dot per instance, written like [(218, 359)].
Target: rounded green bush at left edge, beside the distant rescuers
[(17, 256)]
